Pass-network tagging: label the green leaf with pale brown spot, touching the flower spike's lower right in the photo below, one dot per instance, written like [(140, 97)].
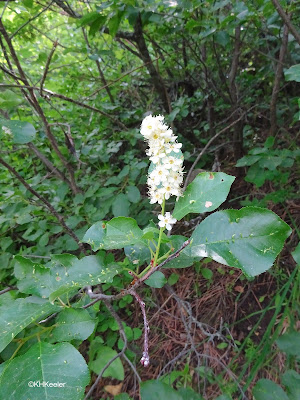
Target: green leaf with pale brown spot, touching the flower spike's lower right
[(207, 191)]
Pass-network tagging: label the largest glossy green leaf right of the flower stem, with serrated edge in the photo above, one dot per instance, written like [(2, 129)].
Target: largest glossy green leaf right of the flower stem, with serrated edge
[(249, 238)]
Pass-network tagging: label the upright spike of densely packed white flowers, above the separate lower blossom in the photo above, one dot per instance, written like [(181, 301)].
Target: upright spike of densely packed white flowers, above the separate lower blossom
[(165, 178)]
